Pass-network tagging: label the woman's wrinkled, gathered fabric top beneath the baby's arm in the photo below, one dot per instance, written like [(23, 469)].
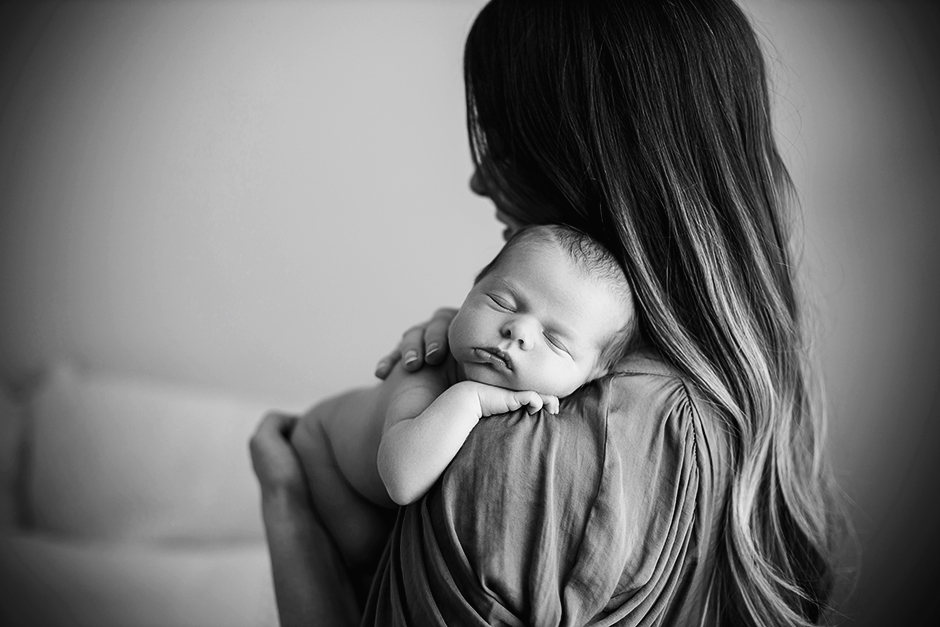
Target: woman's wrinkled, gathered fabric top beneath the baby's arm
[(604, 514)]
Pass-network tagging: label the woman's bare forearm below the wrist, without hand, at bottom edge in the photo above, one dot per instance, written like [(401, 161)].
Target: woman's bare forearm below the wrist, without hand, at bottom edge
[(311, 584)]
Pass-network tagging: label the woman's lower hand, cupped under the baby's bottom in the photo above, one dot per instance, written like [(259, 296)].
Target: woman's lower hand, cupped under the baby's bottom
[(275, 462)]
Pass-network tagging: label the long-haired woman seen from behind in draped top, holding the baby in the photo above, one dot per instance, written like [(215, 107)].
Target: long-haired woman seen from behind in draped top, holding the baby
[(688, 488)]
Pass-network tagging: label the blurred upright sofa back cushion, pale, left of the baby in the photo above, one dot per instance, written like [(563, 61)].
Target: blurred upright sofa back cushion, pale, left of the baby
[(119, 457)]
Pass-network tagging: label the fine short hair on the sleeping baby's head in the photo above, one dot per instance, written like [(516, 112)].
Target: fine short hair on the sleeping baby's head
[(595, 260)]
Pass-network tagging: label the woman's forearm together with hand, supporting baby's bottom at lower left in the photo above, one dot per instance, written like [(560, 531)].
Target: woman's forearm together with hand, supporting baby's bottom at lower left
[(311, 584)]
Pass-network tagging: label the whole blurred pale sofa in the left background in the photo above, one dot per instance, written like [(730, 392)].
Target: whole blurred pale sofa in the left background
[(128, 501)]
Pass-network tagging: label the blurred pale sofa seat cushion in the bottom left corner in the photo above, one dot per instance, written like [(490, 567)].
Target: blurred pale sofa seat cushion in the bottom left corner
[(61, 583)]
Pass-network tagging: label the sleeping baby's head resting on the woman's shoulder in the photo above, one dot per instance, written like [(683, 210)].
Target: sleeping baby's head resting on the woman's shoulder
[(551, 312)]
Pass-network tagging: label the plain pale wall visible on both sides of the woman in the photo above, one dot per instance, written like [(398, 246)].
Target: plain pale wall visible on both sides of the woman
[(261, 196)]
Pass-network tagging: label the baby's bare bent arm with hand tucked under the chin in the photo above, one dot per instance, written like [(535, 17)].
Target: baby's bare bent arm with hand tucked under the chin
[(423, 431)]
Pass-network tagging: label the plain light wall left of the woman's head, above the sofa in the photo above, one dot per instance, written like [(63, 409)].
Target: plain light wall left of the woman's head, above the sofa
[(251, 194)]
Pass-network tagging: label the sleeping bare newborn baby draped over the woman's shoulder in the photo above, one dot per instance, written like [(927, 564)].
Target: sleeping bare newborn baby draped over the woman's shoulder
[(550, 313)]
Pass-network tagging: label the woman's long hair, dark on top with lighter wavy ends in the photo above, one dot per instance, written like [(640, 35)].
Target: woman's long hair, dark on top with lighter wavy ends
[(647, 124)]
